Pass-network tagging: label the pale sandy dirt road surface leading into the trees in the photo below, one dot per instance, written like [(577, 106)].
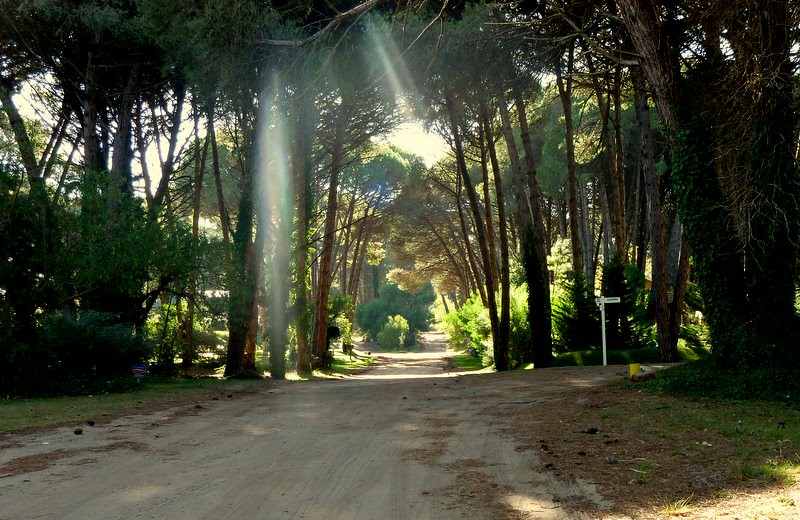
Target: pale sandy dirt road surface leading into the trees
[(405, 440)]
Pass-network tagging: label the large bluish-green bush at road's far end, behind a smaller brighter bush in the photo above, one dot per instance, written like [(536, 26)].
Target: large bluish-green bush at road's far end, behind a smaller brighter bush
[(391, 300)]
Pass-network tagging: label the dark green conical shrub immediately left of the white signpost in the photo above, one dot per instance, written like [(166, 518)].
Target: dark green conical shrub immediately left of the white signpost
[(576, 320)]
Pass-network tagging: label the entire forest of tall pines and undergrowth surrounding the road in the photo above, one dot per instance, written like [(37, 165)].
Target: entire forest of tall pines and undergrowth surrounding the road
[(199, 182)]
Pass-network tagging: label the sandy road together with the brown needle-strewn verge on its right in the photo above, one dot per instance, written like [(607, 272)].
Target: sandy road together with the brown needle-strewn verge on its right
[(407, 439)]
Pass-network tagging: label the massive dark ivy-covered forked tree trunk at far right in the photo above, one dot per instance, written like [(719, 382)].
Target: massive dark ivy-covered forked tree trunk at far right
[(743, 333)]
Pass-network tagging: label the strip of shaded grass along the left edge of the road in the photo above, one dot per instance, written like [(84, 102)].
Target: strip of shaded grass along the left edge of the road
[(25, 414)]
